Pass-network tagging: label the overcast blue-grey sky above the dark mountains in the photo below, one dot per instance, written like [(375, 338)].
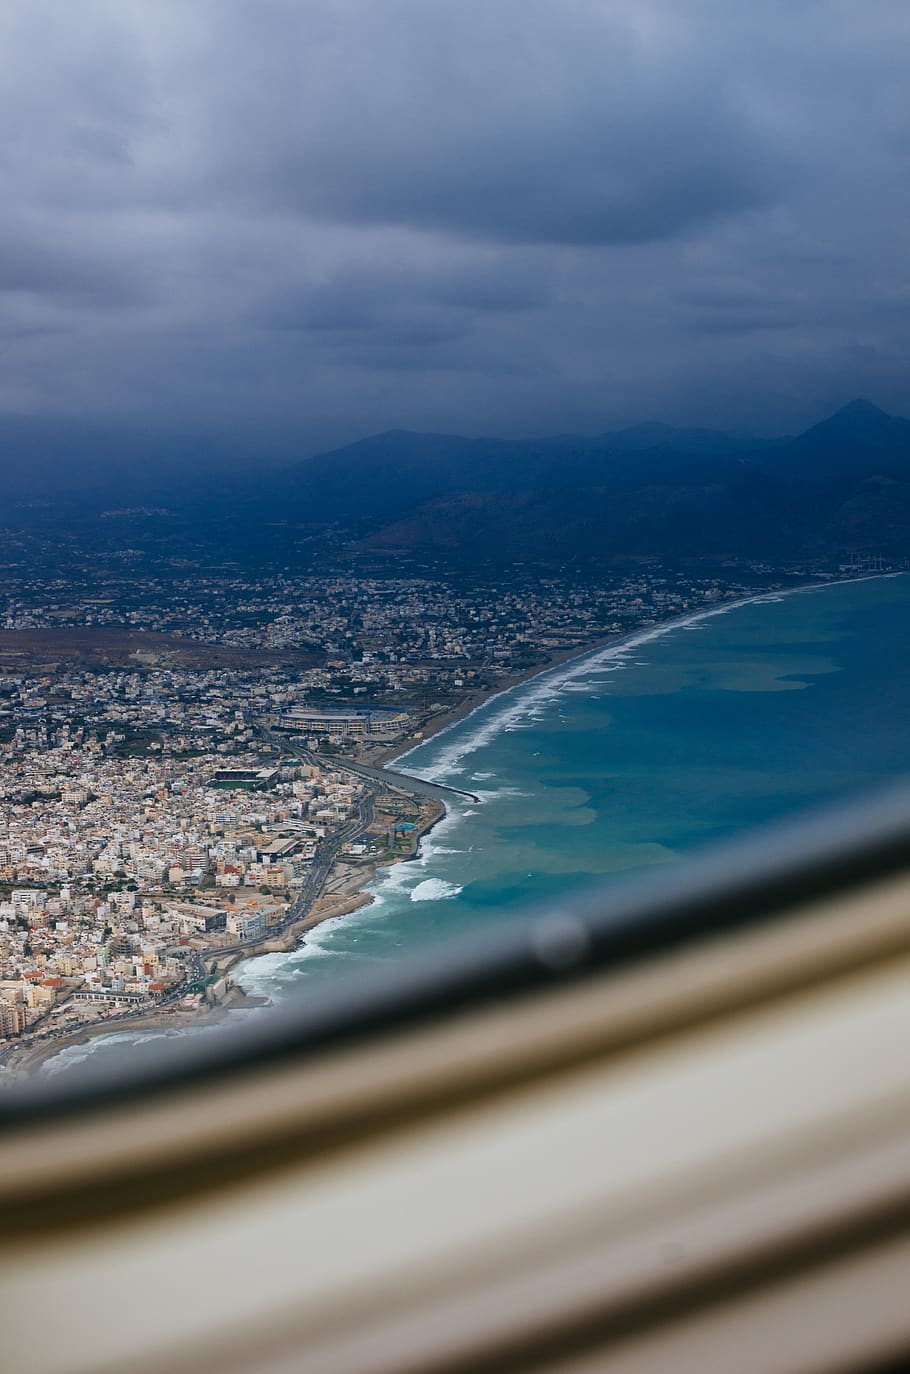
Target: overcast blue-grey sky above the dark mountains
[(328, 218)]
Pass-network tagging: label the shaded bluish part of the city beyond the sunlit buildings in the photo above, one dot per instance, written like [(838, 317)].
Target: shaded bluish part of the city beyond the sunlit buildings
[(392, 653)]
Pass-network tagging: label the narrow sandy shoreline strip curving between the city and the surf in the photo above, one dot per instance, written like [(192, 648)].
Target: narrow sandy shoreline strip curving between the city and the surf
[(350, 895)]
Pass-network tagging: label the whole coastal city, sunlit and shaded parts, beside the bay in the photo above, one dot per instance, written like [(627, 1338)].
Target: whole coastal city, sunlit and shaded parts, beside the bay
[(192, 773)]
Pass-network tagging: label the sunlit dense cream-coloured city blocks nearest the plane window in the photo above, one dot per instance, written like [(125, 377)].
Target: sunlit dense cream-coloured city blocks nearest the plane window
[(113, 873)]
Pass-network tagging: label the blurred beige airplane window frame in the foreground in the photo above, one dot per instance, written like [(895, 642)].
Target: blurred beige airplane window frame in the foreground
[(689, 1162)]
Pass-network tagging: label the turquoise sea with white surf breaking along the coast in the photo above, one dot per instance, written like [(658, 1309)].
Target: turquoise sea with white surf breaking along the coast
[(629, 758)]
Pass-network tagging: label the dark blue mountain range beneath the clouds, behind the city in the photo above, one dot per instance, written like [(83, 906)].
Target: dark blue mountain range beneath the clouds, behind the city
[(641, 493)]
